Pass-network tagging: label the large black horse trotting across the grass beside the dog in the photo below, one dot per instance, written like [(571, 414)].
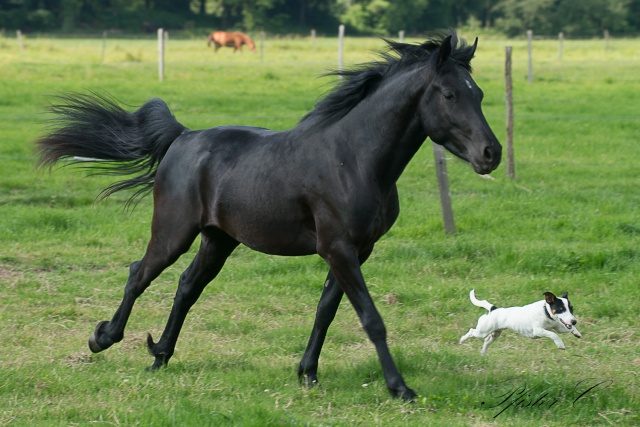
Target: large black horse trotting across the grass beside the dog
[(326, 187)]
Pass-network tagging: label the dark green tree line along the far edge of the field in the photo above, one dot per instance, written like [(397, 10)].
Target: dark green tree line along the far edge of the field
[(583, 18)]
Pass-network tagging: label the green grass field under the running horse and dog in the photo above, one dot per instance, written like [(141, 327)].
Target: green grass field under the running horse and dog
[(569, 222)]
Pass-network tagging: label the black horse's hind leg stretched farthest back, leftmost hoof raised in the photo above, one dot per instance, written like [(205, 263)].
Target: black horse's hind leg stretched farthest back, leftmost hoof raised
[(169, 240)]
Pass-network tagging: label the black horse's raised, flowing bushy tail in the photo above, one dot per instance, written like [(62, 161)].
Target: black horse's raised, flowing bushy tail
[(95, 128)]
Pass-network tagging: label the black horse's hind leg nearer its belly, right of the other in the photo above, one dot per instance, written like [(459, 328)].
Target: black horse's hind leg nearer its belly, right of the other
[(214, 250)]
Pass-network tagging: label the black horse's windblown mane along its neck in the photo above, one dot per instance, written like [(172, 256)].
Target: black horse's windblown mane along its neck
[(362, 80)]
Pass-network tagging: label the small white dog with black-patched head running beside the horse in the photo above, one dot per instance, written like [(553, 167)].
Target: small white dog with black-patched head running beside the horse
[(535, 320)]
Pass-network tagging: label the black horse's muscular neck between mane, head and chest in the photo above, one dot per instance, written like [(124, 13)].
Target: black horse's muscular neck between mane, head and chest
[(390, 130)]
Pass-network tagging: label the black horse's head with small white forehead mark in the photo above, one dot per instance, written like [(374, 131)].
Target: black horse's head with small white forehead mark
[(451, 112)]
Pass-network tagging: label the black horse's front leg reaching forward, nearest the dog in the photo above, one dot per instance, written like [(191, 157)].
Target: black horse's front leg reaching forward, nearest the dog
[(342, 257)]
